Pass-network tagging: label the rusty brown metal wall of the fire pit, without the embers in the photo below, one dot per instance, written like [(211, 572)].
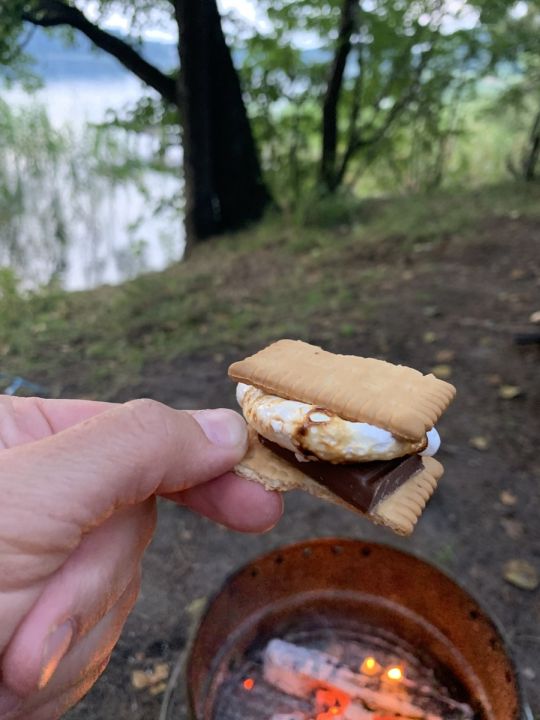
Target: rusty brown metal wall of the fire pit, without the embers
[(389, 589)]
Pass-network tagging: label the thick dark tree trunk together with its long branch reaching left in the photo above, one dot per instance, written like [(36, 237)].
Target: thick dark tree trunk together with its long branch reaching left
[(223, 182)]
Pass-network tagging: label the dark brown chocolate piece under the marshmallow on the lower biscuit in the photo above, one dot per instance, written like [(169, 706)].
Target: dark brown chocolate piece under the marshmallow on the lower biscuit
[(362, 485)]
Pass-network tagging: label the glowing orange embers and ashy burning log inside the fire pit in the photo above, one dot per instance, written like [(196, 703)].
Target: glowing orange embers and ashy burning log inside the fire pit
[(333, 689)]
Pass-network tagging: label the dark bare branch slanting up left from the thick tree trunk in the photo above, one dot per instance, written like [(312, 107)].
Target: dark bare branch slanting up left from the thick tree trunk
[(53, 13)]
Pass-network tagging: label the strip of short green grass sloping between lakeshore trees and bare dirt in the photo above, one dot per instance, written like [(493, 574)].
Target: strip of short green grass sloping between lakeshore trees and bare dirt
[(238, 291)]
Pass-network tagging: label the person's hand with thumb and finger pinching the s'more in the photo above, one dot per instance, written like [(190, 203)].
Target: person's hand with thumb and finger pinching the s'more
[(78, 482)]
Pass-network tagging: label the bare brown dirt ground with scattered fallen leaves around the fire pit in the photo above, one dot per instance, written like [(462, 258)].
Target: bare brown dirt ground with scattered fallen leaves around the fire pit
[(458, 304)]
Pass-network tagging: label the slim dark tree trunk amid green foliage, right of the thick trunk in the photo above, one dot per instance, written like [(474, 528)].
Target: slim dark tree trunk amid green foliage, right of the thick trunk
[(328, 171)]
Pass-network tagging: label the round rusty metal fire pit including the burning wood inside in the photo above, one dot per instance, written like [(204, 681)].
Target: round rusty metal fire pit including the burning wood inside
[(353, 630)]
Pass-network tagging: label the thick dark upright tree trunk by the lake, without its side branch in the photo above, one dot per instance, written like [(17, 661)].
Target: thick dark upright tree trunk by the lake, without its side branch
[(224, 186)]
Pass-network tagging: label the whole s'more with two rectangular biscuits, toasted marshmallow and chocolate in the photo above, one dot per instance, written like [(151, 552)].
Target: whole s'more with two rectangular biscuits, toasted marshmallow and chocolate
[(353, 430)]
